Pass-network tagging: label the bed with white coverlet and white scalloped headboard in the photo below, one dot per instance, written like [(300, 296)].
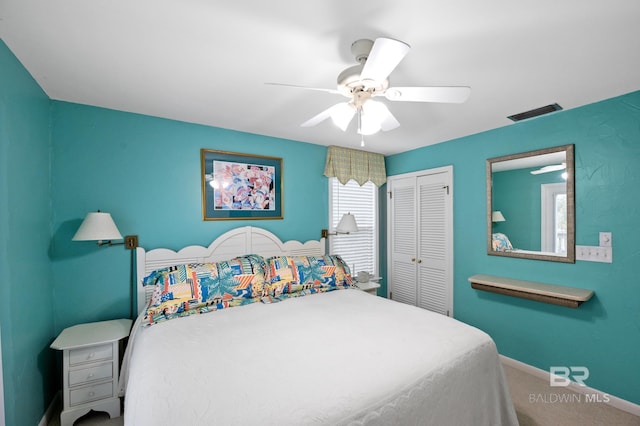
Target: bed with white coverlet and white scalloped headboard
[(333, 357)]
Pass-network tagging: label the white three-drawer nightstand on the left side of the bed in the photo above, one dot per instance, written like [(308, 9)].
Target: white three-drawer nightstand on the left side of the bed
[(90, 366)]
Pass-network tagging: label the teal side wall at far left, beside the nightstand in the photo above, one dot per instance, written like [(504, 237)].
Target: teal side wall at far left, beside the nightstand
[(26, 317)]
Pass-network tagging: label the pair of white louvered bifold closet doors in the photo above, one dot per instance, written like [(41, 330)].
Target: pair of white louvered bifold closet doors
[(420, 239)]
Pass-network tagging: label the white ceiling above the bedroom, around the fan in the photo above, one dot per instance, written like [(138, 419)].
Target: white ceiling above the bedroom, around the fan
[(206, 62)]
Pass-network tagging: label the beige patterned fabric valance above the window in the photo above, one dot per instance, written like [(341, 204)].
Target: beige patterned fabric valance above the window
[(361, 166)]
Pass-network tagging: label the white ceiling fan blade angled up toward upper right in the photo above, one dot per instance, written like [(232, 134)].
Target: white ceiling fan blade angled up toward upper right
[(384, 57)]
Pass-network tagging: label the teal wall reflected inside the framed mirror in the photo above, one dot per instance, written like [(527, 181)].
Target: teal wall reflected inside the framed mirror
[(517, 194)]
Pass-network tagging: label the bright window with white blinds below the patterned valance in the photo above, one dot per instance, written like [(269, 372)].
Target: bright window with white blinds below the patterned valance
[(360, 249)]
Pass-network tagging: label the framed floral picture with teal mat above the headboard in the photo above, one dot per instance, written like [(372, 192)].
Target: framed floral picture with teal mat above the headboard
[(240, 186)]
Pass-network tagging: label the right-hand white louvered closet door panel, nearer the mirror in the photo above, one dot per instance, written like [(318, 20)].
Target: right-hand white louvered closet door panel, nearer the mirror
[(434, 243)]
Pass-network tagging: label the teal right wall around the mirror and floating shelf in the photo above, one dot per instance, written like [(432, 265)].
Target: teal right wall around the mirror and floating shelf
[(602, 334)]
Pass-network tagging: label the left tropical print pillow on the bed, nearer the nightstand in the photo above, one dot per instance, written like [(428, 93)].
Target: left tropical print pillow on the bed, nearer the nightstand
[(188, 289)]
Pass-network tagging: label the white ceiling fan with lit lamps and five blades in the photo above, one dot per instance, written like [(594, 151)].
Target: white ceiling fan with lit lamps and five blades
[(370, 79)]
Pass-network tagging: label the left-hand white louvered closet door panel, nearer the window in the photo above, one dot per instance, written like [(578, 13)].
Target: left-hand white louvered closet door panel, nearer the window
[(402, 224)]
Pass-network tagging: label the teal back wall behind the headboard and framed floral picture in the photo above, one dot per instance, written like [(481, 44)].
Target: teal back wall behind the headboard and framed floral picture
[(145, 171)]
